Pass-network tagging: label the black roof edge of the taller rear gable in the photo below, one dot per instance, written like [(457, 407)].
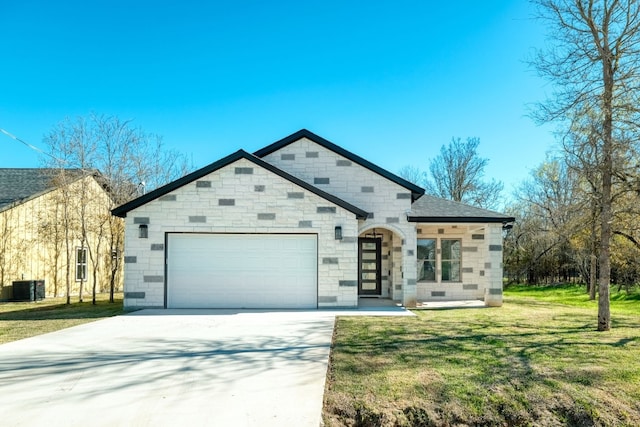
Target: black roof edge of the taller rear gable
[(416, 191)]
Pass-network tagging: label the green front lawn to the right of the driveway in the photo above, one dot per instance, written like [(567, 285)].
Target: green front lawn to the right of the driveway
[(533, 361)]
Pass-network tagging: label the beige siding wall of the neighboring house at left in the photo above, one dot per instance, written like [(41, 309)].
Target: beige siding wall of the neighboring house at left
[(32, 239)]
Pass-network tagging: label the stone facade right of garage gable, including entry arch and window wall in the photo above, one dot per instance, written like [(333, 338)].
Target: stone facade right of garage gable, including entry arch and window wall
[(389, 204)]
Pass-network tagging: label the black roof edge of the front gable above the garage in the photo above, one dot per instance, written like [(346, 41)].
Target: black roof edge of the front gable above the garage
[(122, 210)]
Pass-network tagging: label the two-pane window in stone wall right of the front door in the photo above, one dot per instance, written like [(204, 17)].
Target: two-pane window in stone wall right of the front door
[(448, 263)]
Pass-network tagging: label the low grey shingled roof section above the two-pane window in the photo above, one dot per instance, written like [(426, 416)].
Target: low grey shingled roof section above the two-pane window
[(434, 209)]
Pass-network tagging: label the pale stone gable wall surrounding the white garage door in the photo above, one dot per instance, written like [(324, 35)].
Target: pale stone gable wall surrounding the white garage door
[(240, 198)]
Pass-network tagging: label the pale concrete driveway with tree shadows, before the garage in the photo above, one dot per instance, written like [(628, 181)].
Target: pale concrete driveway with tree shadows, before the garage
[(164, 367)]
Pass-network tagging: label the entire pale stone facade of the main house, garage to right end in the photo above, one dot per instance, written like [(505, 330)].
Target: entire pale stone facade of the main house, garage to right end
[(244, 197)]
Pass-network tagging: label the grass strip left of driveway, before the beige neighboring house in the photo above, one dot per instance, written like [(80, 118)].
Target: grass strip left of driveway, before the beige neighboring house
[(20, 320)]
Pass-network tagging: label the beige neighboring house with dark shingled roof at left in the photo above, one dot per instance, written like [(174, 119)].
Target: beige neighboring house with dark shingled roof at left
[(42, 215)]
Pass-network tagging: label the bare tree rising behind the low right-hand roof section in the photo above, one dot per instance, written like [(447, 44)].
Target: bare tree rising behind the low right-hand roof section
[(457, 174)]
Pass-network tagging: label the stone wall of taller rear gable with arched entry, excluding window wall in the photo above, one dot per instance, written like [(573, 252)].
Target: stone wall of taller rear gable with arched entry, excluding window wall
[(387, 201)]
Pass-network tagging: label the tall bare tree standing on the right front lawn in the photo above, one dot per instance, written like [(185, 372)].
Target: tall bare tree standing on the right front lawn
[(592, 63)]
